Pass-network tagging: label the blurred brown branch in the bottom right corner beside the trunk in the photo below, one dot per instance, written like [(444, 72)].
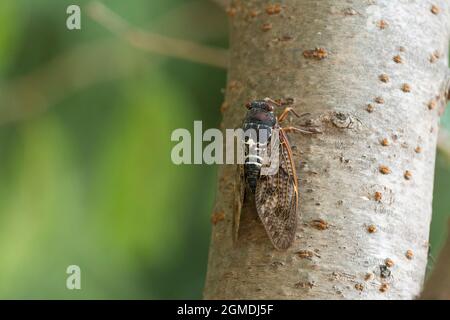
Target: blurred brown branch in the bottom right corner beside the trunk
[(438, 285)]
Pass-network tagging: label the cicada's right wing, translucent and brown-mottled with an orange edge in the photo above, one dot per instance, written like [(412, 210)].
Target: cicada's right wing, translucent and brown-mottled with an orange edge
[(276, 199)]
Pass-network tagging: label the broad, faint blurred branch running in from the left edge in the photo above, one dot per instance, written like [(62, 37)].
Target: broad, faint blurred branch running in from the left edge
[(75, 70)]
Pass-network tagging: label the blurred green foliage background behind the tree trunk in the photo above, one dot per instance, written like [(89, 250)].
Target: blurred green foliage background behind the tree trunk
[(85, 170)]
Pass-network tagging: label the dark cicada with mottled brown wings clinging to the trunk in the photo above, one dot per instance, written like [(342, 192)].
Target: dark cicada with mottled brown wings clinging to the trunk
[(275, 195)]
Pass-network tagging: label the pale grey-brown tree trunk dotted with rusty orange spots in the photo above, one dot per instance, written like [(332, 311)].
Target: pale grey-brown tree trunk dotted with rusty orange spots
[(372, 77)]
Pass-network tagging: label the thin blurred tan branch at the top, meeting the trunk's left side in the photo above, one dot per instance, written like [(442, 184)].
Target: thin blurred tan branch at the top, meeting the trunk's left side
[(155, 43)]
